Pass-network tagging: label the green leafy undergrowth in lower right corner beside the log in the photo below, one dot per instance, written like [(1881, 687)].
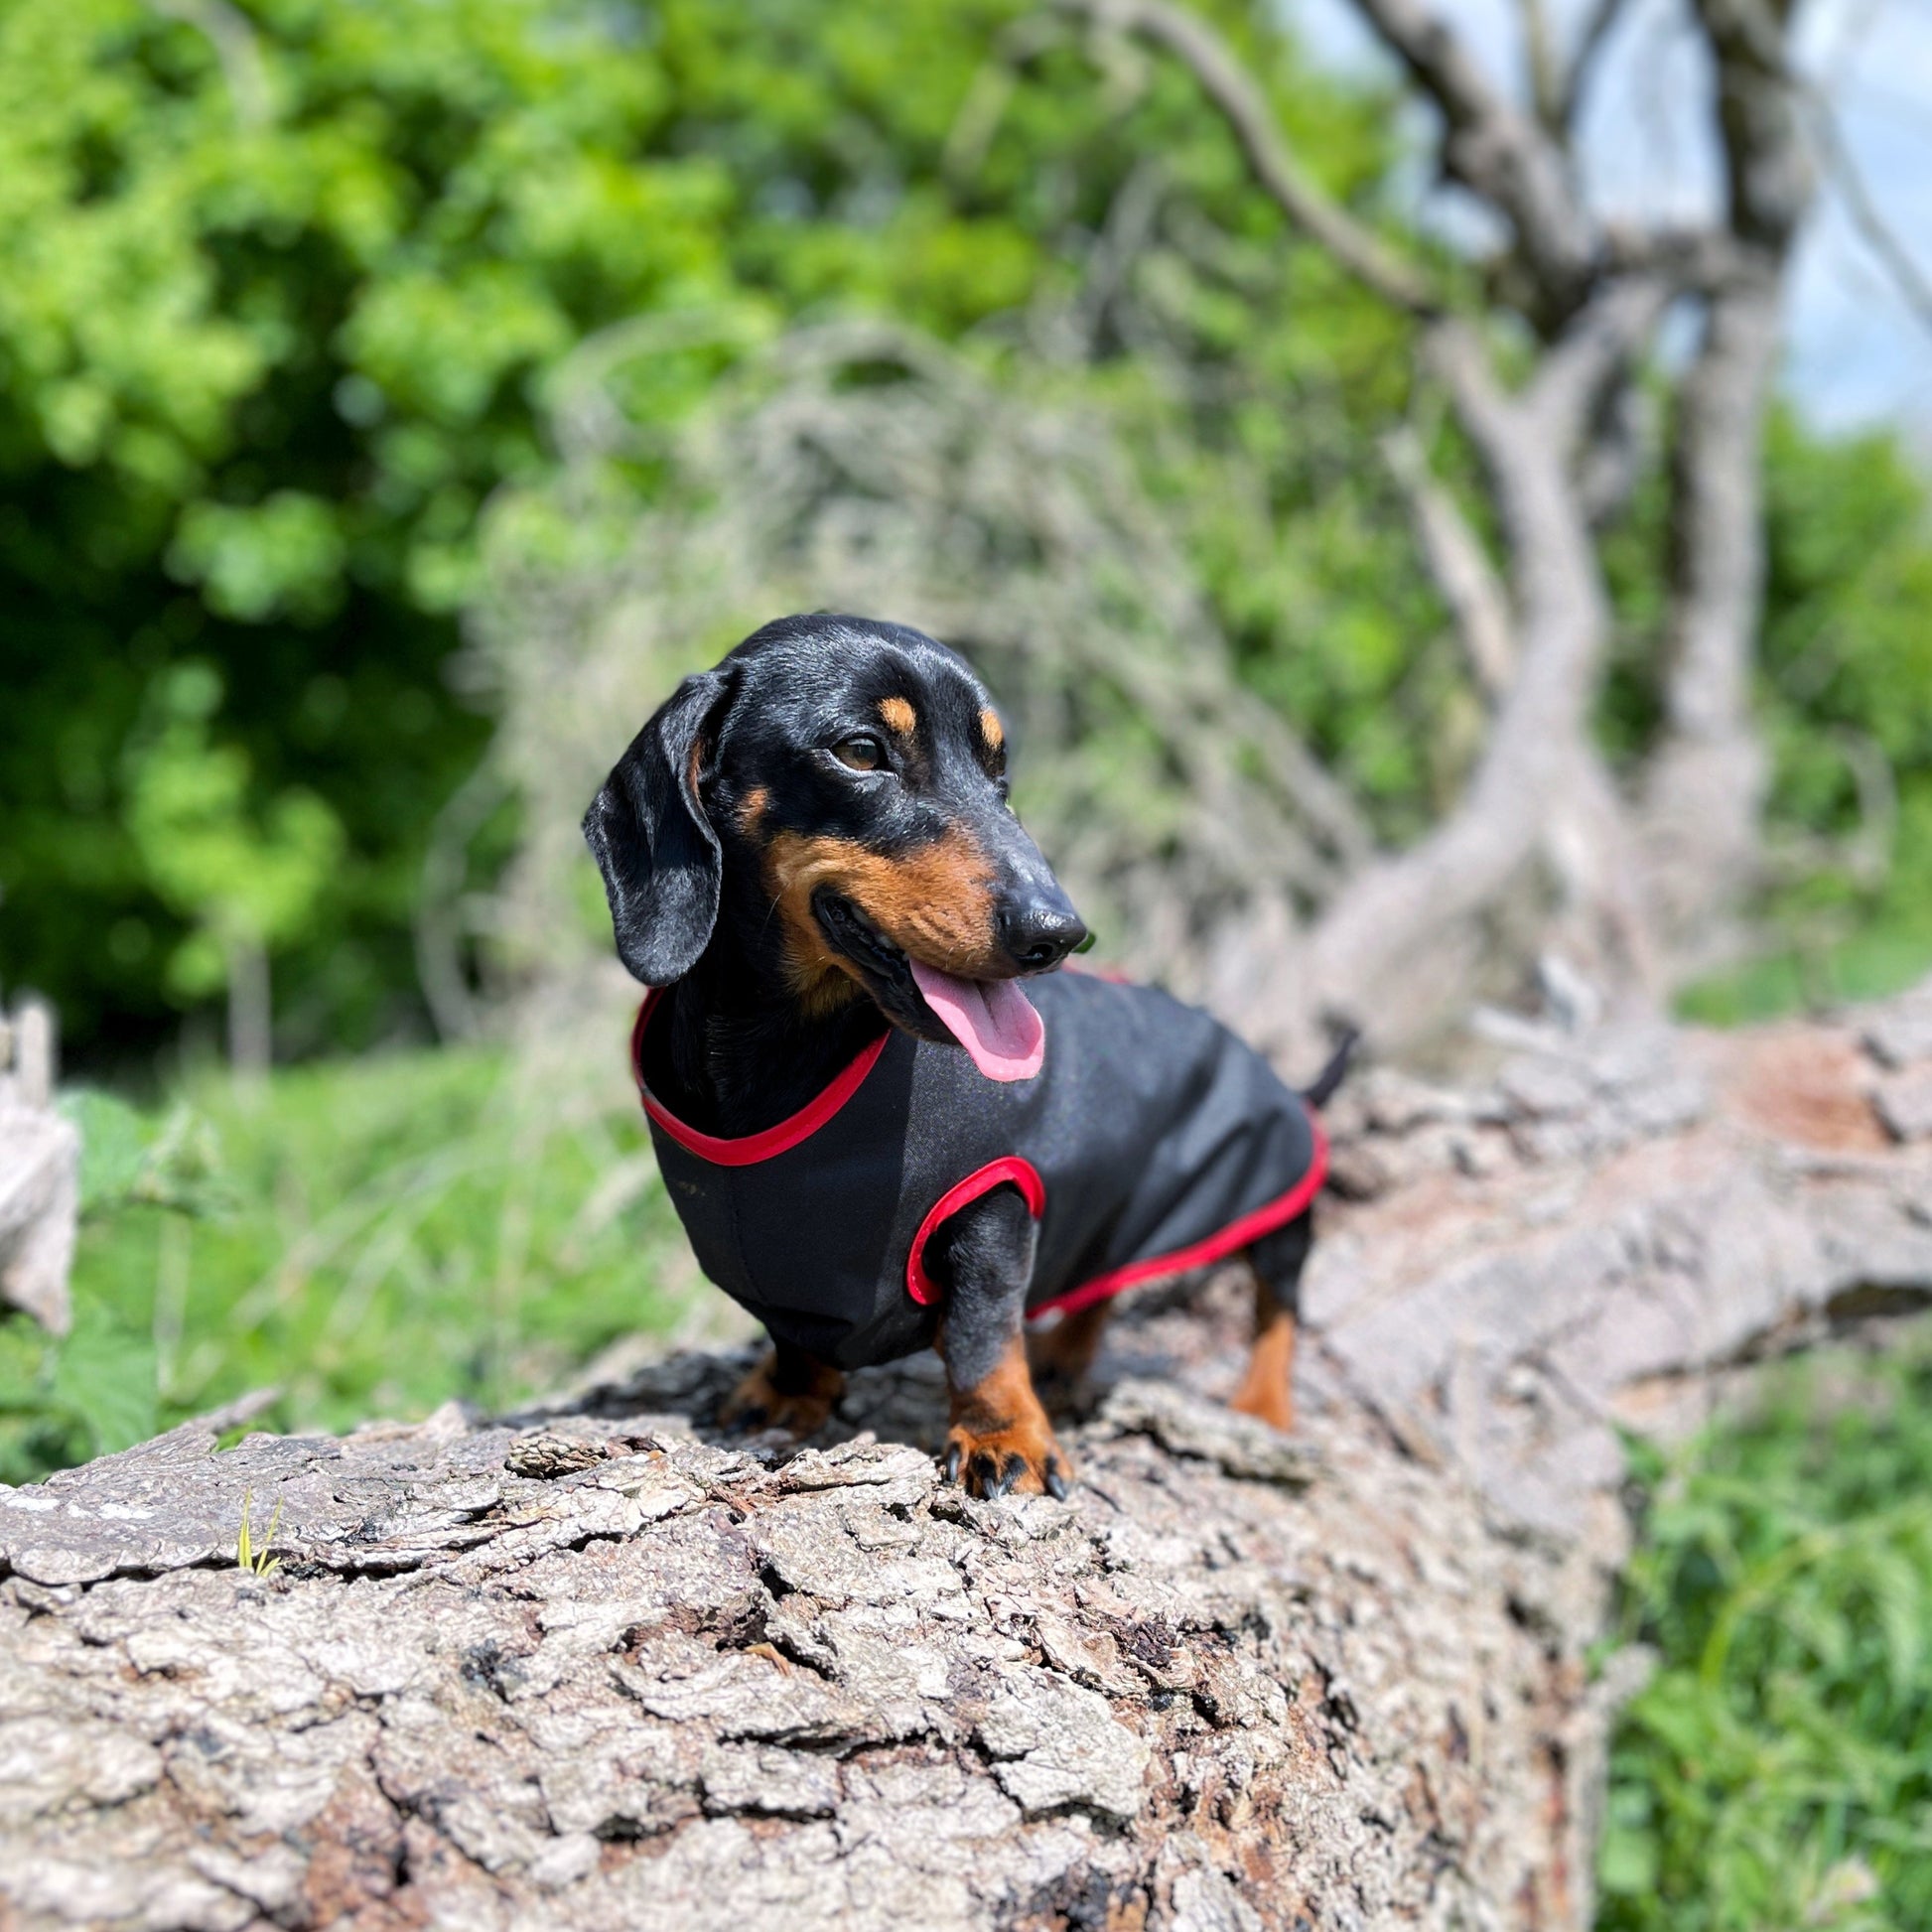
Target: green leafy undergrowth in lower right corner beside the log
[(1778, 1769)]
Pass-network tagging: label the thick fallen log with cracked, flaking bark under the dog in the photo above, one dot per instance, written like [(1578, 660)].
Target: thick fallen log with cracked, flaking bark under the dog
[(594, 1666)]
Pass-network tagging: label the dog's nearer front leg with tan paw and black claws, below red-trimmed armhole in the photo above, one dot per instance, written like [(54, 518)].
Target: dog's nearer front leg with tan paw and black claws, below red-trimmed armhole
[(1000, 1438)]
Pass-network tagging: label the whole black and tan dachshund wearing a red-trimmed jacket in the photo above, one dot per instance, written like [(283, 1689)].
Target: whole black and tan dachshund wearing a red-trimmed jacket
[(886, 1122)]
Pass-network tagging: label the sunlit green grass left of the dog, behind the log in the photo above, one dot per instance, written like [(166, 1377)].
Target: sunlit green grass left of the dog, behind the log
[(372, 1237)]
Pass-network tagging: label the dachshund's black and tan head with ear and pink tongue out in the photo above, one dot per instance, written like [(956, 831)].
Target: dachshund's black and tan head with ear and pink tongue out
[(855, 778)]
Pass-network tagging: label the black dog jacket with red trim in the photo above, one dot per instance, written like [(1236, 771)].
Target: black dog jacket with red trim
[(1149, 1143)]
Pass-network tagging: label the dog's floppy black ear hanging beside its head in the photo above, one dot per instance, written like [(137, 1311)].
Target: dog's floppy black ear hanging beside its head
[(652, 839)]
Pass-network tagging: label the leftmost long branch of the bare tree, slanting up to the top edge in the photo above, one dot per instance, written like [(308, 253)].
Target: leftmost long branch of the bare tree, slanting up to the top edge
[(1228, 84)]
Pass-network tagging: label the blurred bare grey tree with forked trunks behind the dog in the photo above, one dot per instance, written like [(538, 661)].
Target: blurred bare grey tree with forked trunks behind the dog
[(1649, 870)]
